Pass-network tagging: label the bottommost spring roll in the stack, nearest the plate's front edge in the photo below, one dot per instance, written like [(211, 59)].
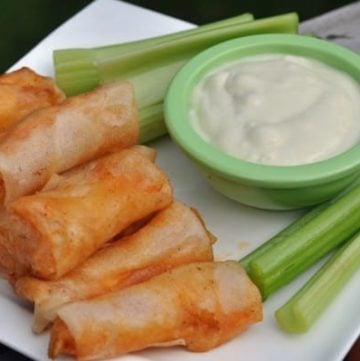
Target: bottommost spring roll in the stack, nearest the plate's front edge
[(198, 305)]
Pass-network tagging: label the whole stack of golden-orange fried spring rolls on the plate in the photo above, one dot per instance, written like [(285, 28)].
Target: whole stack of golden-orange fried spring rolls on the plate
[(90, 232)]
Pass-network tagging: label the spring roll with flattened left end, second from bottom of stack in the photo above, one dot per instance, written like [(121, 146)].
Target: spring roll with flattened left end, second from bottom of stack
[(173, 236)]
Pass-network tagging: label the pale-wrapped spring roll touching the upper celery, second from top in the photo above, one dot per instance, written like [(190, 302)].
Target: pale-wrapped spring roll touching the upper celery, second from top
[(57, 138)]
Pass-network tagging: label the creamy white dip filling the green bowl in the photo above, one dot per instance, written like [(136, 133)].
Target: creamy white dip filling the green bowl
[(278, 109)]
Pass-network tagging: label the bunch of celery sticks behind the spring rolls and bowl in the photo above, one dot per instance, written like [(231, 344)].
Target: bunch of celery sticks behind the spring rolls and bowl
[(150, 64)]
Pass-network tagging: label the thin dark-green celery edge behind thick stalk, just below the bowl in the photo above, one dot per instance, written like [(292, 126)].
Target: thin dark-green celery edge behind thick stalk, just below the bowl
[(282, 235)]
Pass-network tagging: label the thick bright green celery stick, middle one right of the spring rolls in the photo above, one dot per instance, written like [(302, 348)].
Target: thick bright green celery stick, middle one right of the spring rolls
[(282, 262)]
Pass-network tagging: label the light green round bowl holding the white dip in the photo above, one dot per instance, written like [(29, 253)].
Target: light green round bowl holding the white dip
[(258, 185)]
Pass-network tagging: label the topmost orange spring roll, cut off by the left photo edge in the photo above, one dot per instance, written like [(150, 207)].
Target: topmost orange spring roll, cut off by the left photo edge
[(23, 91)]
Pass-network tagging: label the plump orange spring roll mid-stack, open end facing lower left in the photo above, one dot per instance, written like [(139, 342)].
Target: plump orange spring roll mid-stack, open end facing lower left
[(55, 230)]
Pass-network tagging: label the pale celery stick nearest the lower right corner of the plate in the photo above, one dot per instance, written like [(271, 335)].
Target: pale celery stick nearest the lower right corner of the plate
[(304, 308)]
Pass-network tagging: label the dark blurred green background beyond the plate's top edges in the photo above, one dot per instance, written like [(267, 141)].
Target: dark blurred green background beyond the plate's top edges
[(23, 23)]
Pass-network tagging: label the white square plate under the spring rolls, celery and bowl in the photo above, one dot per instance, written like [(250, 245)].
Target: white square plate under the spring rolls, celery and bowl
[(239, 229)]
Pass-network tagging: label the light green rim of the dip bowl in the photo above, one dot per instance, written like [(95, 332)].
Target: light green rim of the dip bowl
[(182, 132)]
